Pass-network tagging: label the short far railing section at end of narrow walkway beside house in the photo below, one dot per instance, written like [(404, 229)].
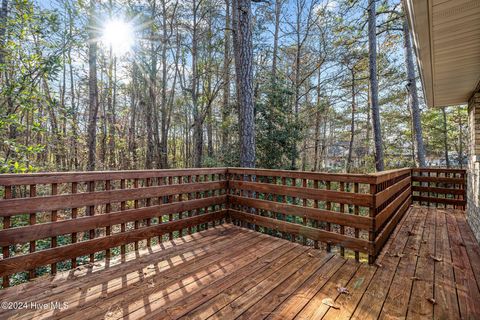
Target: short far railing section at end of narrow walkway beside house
[(440, 187)]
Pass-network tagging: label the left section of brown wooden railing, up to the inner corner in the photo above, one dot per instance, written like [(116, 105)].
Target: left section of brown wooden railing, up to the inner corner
[(101, 214)]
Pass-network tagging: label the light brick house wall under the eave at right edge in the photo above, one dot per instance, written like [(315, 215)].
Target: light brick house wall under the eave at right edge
[(473, 171)]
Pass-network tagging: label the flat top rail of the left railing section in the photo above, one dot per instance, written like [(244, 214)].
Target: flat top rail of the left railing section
[(84, 176)]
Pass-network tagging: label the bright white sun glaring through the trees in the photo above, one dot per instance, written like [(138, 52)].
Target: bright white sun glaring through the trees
[(118, 35)]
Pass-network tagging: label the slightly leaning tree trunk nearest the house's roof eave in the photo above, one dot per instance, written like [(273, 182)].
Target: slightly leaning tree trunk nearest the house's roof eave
[(413, 95)]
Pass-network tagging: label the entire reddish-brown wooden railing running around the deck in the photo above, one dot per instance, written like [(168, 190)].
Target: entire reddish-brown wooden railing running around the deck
[(55, 221)]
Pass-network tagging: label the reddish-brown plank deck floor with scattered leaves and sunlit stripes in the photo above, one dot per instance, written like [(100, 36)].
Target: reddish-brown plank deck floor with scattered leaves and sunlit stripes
[(430, 268)]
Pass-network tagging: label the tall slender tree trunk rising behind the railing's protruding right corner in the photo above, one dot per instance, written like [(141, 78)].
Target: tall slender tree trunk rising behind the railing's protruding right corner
[(372, 61)]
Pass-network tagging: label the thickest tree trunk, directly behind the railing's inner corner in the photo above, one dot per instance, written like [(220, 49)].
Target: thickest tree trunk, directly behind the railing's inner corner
[(244, 68)]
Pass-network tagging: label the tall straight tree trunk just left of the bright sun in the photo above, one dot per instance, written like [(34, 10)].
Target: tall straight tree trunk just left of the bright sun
[(93, 90)]
